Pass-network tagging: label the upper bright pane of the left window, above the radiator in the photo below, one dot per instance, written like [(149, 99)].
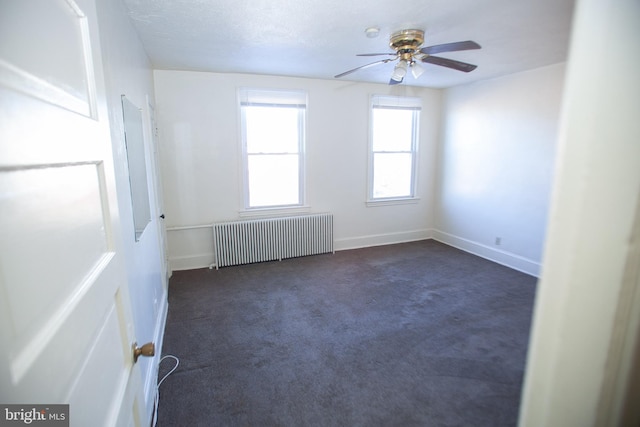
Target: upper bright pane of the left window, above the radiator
[(271, 129)]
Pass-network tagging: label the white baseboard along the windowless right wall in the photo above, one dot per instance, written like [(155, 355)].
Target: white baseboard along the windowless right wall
[(508, 259)]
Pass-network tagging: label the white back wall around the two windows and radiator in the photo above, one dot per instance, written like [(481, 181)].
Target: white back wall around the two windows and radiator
[(200, 159)]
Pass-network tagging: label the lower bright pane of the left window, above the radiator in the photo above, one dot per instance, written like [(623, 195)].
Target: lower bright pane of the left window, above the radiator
[(273, 180)]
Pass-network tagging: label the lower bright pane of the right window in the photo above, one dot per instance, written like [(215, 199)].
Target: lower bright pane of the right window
[(391, 175)]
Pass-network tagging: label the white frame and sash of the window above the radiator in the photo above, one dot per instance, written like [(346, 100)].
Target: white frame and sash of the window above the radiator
[(284, 98)]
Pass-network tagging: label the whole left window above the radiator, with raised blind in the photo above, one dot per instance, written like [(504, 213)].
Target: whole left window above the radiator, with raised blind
[(273, 124)]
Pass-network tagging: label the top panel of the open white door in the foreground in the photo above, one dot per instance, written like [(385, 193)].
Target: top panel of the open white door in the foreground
[(49, 53)]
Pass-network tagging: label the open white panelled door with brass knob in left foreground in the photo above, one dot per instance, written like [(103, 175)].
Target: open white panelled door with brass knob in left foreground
[(65, 317)]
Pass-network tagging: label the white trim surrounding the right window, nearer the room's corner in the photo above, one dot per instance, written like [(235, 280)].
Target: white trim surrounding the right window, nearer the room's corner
[(394, 102)]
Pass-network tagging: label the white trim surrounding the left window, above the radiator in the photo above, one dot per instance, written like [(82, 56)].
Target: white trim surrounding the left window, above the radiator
[(272, 97)]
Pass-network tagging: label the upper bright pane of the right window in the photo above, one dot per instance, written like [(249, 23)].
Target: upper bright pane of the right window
[(392, 129)]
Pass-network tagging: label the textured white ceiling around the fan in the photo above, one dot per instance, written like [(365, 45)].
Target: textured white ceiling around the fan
[(320, 38)]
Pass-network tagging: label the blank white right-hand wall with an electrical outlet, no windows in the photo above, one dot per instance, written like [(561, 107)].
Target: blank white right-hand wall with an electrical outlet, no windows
[(495, 166)]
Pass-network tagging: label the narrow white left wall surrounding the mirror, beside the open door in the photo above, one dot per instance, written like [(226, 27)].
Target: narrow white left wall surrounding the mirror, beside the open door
[(128, 72)]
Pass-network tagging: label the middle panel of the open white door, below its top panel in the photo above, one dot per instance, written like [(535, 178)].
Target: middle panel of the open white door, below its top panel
[(65, 232)]
